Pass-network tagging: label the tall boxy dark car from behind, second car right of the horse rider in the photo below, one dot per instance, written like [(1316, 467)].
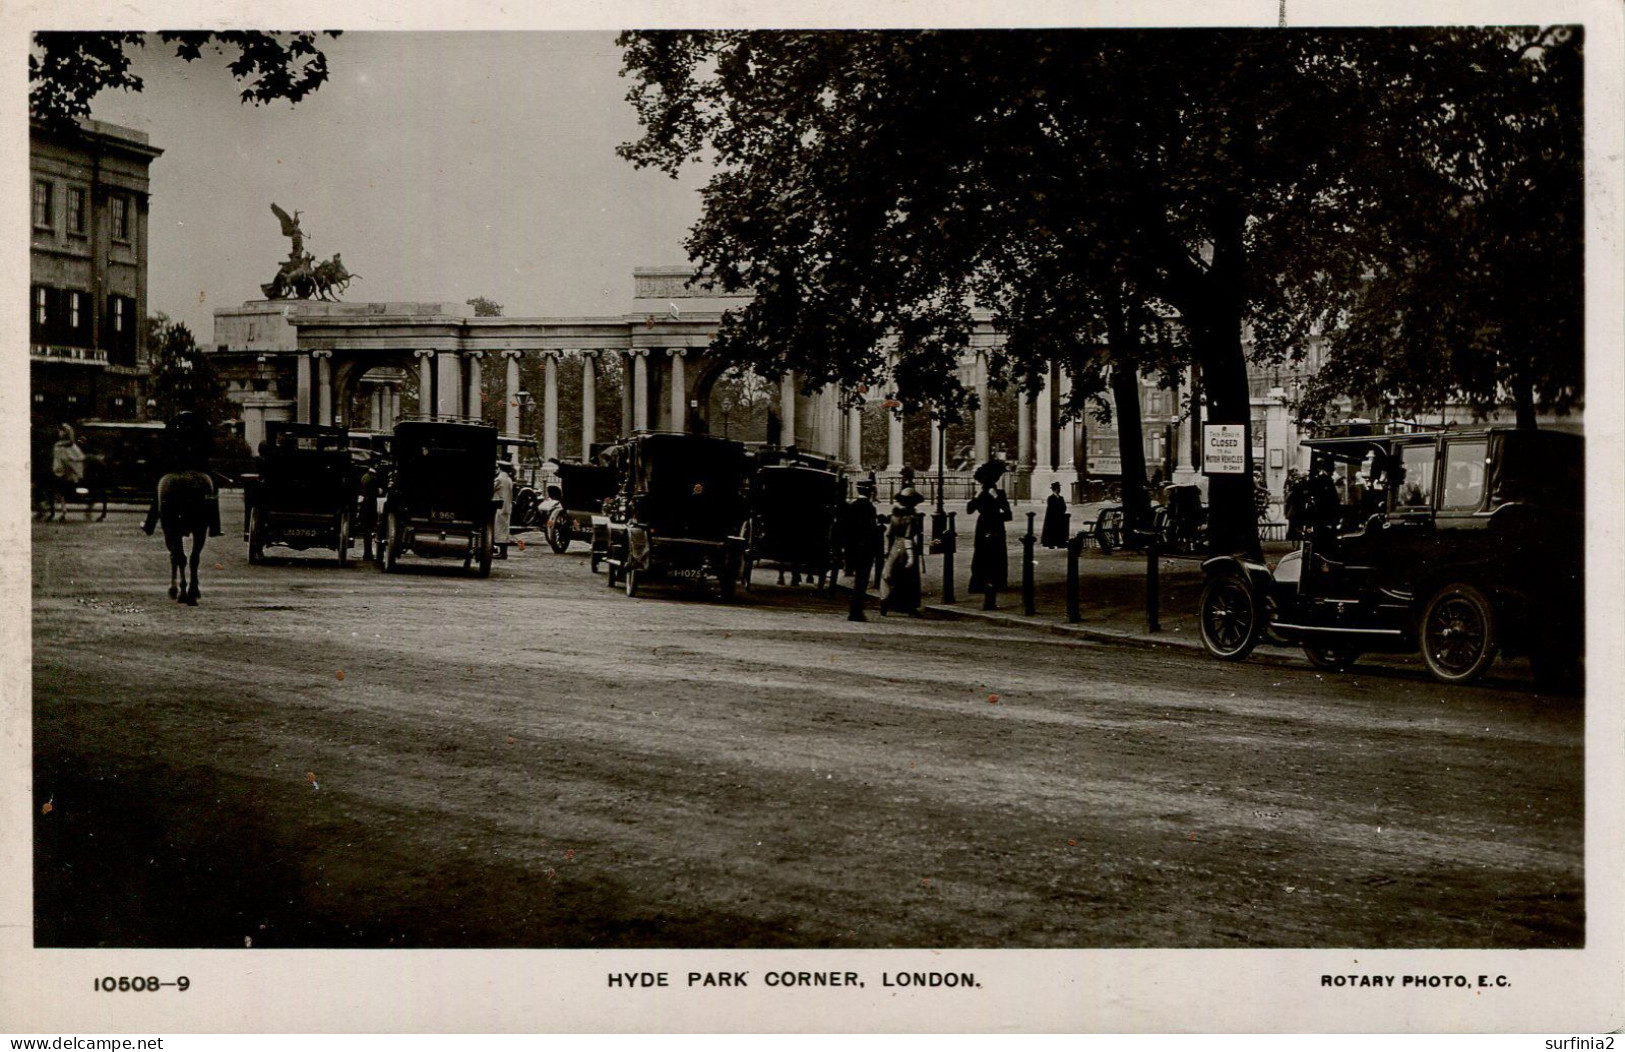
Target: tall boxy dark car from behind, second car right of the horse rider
[(438, 498)]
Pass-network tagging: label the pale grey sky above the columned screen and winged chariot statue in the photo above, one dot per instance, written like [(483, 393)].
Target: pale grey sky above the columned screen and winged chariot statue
[(441, 165)]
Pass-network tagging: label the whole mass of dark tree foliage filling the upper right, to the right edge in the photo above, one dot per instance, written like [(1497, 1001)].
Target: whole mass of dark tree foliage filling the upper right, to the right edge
[(1259, 188)]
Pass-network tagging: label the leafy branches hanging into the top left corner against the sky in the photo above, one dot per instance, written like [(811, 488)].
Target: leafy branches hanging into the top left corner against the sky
[(66, 71)]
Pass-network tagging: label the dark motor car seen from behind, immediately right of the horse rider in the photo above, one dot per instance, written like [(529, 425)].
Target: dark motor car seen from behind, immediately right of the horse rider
[(305, 492)]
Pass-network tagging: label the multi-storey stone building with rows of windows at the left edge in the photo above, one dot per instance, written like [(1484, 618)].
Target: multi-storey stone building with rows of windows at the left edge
[(89, 274)]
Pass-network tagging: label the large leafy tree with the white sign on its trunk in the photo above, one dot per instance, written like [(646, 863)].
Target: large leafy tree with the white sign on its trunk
[(877, 186)]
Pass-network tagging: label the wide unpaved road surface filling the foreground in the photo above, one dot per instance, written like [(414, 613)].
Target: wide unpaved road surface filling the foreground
[(323, 757)]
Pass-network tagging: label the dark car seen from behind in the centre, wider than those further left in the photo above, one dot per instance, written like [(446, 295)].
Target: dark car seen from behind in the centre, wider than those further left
[(678, 511)]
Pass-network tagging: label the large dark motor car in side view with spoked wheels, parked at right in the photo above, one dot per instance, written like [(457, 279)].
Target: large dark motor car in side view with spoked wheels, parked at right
[(1465, 546)]
